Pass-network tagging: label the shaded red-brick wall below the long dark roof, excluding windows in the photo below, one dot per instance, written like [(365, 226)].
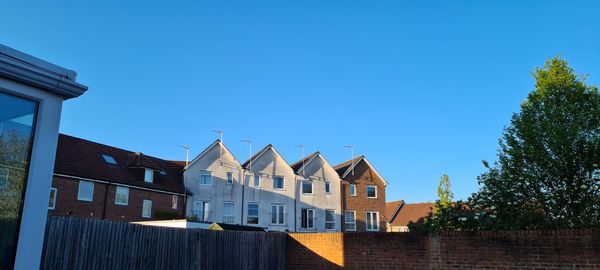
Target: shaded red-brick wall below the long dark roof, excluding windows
[(68, 205)]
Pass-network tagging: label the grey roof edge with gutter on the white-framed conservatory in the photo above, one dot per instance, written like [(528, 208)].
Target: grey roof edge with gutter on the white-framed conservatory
[(30, 70)]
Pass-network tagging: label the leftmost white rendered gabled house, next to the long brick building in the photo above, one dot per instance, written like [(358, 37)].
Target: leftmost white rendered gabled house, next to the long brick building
[(214, 180)]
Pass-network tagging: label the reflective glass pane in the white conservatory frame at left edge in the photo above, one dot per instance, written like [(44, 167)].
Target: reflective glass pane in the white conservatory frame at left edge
[(17, 118)]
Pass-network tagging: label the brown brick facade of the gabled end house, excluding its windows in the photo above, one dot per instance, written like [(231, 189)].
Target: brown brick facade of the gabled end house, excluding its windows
[(362, 178)]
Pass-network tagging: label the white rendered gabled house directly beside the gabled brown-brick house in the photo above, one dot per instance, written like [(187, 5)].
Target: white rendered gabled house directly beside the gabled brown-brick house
[(318, 203)]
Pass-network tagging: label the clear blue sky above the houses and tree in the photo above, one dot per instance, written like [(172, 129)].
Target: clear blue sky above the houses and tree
[(421, 88)]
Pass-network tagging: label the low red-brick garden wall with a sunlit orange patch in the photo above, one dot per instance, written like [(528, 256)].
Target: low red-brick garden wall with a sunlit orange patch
[(566, 249)]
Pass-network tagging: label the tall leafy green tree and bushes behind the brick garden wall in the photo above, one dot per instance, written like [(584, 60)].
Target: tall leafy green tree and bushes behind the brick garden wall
[(547, 173)]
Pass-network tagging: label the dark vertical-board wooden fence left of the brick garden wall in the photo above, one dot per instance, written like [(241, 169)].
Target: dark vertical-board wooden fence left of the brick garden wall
[(95, 244)]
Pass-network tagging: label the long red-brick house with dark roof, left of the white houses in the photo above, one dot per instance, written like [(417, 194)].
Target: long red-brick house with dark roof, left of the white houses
[(98, 181)]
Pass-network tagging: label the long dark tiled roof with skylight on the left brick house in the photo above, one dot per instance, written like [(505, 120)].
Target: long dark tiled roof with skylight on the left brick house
[(82, 158)]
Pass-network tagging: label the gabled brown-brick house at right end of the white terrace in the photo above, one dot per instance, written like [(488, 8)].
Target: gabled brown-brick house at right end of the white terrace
[(362, 196)]
